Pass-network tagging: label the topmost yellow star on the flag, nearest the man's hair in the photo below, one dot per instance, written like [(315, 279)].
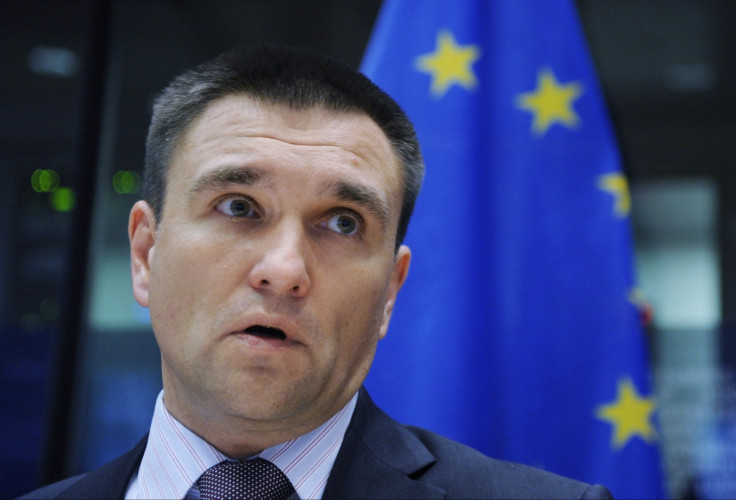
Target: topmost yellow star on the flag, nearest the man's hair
[(450, 64)]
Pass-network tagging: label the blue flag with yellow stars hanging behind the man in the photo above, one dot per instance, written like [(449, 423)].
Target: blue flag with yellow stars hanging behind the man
[(517, 331)]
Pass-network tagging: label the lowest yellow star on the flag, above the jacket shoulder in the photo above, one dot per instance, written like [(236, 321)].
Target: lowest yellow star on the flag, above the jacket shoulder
[(630, 415)]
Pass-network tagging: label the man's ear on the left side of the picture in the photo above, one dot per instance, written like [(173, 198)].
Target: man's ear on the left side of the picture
[(142, 236)]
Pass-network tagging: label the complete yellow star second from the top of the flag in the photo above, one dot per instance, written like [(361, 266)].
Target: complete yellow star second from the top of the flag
[(551, 102)]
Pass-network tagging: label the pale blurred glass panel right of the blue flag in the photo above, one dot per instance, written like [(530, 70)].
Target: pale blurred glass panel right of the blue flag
[(675, 224)]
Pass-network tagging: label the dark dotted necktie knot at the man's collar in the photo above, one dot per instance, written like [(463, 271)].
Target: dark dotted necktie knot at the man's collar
[(251, 479)]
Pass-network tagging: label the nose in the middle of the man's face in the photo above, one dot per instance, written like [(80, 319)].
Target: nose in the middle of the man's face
[(282, 268)]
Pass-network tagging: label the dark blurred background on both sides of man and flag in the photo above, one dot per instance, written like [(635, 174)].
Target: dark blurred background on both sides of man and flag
[(80, 368)]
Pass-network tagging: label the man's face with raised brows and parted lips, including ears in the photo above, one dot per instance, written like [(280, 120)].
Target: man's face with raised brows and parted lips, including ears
[(271, 274)]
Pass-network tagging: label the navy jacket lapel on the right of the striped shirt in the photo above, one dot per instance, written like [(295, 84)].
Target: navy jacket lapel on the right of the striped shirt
[(379, 459)]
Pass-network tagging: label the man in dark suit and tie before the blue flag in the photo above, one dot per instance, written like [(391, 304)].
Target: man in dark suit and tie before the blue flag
[(278, 190)]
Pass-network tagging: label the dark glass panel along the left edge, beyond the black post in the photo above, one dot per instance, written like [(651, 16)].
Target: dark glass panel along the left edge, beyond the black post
[(42, 46)]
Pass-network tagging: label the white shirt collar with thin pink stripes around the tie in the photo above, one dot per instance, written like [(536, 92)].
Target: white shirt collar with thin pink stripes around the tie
[(175, 457)]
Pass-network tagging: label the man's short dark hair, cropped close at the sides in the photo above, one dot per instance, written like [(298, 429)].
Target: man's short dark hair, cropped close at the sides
[(296, 77)]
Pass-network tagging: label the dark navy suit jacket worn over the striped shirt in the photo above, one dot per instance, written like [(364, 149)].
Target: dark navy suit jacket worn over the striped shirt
[(379, 458)]
